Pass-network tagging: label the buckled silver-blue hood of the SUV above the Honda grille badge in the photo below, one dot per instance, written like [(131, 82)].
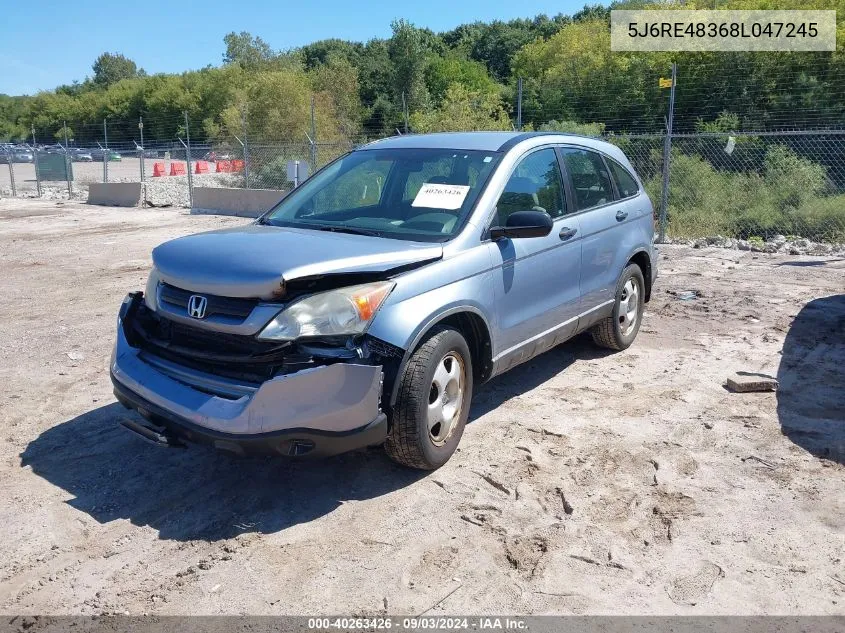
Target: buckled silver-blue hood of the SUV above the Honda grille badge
[(257, 260)]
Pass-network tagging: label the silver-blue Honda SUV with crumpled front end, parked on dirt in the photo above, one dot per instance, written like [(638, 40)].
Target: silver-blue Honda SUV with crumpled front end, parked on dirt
[(367, 305)]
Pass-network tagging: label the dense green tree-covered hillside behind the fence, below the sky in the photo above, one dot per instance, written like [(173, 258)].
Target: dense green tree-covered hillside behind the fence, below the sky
[(465, 78)]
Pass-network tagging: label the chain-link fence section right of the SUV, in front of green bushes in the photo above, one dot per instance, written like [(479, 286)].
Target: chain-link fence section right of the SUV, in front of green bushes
[(750, 187)]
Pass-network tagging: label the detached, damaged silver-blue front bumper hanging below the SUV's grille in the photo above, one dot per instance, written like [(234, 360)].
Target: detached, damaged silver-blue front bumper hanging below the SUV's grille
[(320, 410)]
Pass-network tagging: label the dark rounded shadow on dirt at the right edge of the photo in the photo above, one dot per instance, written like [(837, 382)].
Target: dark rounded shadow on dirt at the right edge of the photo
[(811, 377)]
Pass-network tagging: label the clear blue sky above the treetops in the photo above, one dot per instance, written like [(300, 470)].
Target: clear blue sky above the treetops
[(179, 35)]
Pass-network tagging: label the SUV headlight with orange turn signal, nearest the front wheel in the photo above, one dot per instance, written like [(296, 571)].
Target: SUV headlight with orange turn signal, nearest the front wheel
[(342, 312)]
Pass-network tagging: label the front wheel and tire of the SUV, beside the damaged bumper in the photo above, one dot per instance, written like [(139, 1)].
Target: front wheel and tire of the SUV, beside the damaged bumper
[(432, 407)]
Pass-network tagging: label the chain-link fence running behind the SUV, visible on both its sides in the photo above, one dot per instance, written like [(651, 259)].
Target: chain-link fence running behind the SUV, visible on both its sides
[(743, 186)]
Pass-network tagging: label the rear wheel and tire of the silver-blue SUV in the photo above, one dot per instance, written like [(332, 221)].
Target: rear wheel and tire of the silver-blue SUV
[(619, 330)]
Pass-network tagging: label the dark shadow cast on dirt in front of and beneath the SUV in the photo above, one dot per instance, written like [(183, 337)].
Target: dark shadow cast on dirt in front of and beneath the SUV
[(200, 493)]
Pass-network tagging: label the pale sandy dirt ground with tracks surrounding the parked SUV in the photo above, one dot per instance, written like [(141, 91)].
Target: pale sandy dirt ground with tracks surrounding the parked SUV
[(586, 482)]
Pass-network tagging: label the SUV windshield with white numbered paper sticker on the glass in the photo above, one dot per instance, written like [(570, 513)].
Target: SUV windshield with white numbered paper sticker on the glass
[(410, 194)]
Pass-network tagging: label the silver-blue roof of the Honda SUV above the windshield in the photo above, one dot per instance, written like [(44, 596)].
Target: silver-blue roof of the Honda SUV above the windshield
[(482, 141)]
